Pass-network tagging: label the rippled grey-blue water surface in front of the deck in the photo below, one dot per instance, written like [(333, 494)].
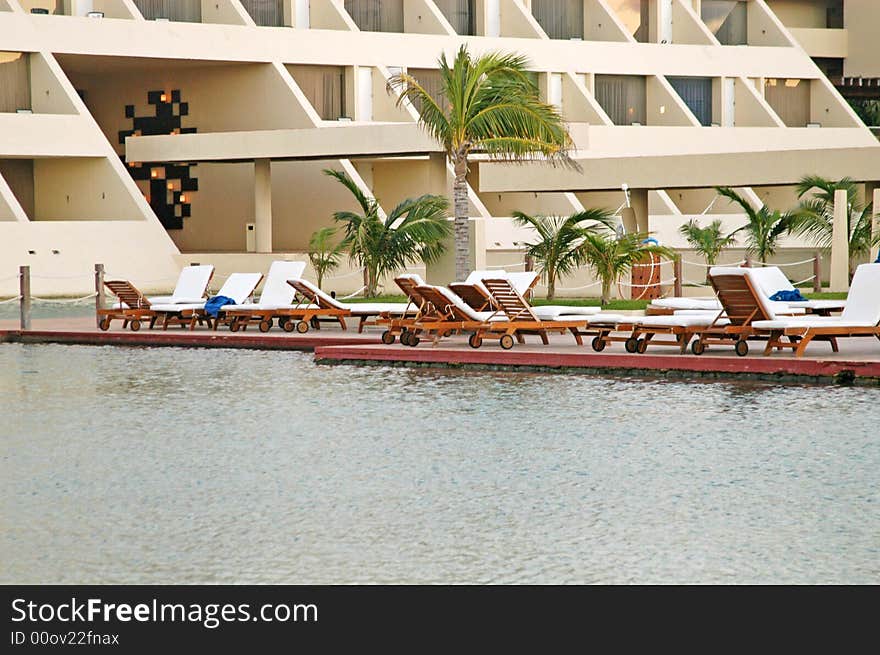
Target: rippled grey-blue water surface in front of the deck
[(172, 465)]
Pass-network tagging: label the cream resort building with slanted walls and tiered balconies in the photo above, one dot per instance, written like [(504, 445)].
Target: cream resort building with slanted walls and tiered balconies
[(148, 134)]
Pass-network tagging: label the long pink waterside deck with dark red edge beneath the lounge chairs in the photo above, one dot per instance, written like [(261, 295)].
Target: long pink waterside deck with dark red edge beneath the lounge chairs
[(857, 359)]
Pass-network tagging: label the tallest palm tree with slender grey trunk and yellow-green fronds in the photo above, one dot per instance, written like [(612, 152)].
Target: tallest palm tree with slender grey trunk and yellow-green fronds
[(486, 104)]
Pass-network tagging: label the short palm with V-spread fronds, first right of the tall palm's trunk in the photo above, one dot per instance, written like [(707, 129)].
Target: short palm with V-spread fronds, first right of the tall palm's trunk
[(558, 251)]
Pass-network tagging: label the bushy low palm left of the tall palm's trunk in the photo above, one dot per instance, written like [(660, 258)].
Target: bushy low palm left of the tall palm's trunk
[(413, 231)]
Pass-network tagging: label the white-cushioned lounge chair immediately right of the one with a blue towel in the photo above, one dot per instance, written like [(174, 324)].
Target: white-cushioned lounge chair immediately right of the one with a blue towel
[(276, 300)]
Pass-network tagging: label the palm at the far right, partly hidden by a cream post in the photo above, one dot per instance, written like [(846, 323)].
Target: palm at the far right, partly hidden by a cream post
[(814, 218)]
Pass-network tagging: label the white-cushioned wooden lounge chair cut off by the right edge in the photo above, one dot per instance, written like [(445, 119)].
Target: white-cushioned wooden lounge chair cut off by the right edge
[(860, 318)]
